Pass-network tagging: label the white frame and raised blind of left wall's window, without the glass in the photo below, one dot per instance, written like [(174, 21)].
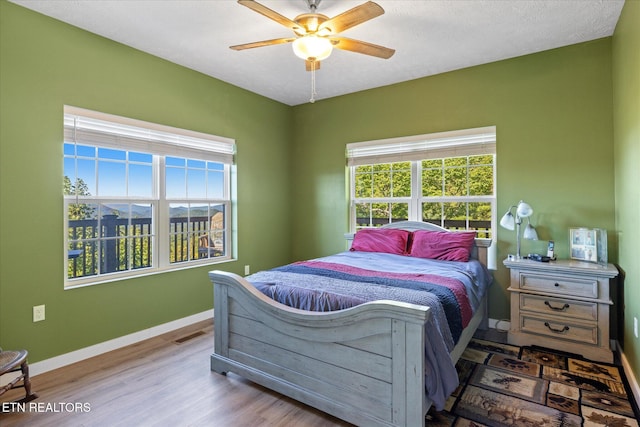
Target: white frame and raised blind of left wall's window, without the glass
[(91, 128)]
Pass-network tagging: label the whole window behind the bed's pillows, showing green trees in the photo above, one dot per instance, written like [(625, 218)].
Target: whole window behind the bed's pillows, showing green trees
[(446, 179)]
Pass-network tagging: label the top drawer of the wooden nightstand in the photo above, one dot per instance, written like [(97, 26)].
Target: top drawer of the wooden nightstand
[(562, 285)]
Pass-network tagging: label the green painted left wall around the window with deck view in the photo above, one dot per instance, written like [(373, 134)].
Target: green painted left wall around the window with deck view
[(45, 64)]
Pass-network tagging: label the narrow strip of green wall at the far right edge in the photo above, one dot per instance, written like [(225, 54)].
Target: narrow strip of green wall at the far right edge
[(626, 130)]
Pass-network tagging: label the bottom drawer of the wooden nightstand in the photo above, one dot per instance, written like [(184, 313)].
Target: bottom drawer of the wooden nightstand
[(560, 328)]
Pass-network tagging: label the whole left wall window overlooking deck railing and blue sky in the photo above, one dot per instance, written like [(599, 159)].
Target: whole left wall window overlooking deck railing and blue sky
[(142, 198)]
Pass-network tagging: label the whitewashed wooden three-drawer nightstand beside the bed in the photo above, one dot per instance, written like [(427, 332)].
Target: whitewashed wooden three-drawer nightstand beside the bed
[(562, 305)]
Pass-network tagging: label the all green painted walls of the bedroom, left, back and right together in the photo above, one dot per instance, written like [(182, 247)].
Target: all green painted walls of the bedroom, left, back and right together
[(554, 113)]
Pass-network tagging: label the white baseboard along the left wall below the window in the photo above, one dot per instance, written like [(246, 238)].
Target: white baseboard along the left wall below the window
[(116, 343)]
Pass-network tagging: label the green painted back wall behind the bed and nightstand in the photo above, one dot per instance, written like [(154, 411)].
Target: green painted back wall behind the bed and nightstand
[(553, 112)]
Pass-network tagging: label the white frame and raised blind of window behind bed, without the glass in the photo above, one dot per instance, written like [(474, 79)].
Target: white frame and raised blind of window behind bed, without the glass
[(414, 149)]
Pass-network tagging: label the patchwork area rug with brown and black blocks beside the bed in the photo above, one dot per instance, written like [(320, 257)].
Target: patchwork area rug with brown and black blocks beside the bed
[(503, 386)]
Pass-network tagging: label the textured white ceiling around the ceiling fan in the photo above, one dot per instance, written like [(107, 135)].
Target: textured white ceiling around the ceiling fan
[(429, 36)]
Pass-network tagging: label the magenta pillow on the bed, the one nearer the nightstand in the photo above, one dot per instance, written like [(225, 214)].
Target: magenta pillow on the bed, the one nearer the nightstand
[(442, 245)]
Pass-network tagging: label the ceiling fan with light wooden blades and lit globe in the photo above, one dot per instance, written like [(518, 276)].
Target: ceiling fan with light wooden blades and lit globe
[(316, 34)]
